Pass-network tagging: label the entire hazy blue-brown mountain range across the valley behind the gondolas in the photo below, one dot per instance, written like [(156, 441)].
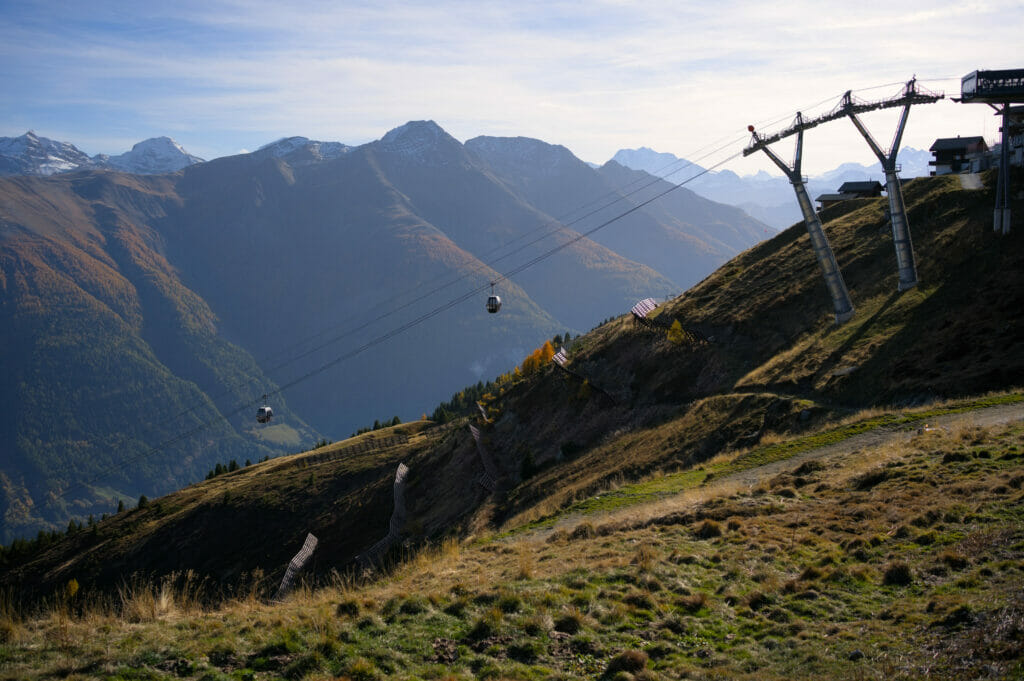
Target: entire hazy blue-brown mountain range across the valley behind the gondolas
[(143, 317)]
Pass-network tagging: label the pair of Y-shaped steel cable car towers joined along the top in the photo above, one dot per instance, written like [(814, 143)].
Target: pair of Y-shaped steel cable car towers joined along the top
[(850, 108)]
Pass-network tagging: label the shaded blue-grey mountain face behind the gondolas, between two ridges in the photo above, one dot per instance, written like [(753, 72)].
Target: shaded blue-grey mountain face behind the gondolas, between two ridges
[(303, 264)]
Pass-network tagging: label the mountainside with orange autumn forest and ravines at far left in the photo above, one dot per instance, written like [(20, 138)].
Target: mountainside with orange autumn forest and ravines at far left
[(106, 355)]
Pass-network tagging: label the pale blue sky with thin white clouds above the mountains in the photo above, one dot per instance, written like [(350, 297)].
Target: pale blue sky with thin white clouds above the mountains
[(226, 76)]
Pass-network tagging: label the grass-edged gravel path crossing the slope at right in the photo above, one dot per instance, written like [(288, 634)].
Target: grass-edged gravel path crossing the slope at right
[(992, 416)]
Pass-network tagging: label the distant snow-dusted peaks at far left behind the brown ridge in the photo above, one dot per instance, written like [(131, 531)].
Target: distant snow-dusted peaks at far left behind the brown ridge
[(32, 155)]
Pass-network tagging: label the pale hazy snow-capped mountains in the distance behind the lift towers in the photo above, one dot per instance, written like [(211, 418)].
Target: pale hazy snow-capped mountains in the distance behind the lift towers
[(765, 197)]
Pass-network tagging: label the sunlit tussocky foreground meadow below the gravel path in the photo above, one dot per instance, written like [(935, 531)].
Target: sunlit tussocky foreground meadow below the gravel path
[(901, 563)]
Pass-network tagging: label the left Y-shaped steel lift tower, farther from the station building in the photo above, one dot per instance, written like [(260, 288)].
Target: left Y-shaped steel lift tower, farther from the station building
[(827, 260)]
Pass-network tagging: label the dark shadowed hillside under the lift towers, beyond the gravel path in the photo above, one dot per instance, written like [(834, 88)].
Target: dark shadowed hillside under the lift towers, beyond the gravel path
[(636, 402)]
